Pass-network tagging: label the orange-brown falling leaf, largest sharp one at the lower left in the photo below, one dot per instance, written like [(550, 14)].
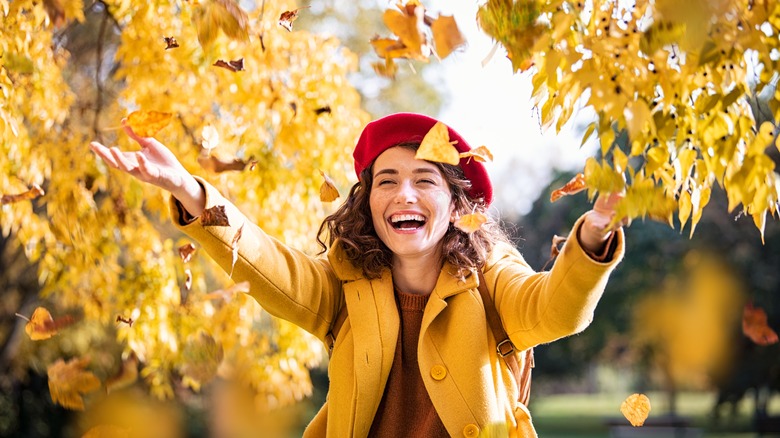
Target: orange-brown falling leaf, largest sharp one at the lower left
[(68, 381)]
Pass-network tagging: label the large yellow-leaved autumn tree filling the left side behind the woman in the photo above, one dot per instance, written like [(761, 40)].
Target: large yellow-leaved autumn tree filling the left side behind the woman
[(259, 110)]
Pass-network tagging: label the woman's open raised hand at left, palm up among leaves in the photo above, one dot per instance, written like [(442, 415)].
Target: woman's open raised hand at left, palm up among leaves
[(157, 165)]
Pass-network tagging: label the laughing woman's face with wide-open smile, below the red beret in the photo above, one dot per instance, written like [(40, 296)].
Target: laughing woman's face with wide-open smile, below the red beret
[(411, 203)]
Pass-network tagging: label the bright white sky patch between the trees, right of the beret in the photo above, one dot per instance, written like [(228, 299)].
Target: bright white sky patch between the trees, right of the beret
[(491, 106)]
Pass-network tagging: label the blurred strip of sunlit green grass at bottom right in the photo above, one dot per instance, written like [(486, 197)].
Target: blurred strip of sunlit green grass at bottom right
[(587, 415)]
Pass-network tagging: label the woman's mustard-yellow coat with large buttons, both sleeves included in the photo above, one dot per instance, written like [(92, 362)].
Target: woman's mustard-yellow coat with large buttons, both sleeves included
[(470, 387)]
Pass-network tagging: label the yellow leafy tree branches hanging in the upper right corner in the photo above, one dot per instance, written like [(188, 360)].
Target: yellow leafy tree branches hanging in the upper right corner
[(690, 85)]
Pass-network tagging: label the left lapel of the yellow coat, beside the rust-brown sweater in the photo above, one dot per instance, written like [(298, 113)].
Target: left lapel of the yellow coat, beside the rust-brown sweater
[(374, 318)]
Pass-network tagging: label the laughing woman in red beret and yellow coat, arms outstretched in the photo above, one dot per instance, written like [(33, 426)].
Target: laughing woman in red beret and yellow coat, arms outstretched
[(415, 356)]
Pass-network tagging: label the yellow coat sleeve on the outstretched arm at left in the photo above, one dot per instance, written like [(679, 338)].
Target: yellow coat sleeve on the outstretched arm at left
[(287, 283)]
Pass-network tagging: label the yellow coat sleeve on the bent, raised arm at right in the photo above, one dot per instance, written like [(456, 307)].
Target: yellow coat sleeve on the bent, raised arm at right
[(540, 307)]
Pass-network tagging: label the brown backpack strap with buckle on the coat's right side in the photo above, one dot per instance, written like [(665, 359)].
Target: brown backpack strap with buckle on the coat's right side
[(504, 346)]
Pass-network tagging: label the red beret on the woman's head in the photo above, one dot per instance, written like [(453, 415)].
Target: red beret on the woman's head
[(392, 130)]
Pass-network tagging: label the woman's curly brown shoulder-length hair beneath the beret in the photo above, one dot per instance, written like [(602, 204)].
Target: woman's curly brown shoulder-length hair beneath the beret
[(352, 226)]
